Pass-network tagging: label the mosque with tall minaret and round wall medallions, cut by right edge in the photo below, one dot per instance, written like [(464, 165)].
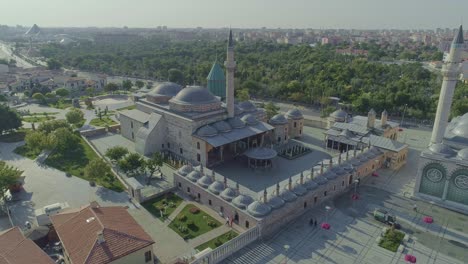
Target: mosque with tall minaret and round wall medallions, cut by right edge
[(443, 166)]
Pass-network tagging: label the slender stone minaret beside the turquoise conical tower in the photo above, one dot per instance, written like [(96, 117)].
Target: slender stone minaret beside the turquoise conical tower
[(230, 65)]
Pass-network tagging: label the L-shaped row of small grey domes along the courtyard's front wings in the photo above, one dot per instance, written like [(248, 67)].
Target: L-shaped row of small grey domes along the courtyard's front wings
[(275, 200)]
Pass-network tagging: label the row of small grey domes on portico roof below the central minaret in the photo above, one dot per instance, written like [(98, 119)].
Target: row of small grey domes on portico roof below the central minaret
[(222, 126)]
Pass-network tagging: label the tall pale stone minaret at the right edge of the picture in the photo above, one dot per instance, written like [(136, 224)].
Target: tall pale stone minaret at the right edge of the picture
[(451, 72)]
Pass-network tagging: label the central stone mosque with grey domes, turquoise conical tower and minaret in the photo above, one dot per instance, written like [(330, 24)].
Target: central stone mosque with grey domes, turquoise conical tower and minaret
[(204, 125)]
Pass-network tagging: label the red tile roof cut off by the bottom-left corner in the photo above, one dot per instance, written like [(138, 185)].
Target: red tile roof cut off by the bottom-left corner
[(16, 249)]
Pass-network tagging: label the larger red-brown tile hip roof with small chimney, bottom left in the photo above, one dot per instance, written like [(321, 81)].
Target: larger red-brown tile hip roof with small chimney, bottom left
[(78, 232)]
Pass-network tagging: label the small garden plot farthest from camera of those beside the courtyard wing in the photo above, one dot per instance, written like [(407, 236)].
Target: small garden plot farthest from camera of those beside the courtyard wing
[(168, 201)]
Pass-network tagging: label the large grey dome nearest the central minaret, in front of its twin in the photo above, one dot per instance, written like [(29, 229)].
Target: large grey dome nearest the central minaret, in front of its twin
[(194, 95)]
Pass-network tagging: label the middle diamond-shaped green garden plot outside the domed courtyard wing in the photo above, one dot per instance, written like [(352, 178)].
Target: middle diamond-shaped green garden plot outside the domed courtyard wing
[(190, 225)]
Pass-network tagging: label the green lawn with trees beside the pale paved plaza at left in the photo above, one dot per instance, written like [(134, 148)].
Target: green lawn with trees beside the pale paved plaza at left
[(74, 162)]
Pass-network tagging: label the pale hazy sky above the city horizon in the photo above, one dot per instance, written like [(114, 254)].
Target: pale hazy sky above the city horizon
[(363, 14)]
